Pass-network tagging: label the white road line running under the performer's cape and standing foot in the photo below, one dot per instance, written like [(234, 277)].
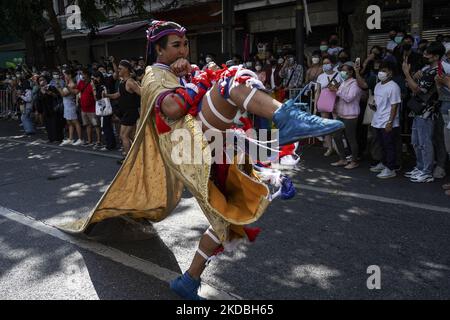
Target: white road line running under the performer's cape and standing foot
[(112, 254)]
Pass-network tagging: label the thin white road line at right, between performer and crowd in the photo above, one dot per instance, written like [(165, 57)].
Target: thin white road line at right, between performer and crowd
[(336, 192)]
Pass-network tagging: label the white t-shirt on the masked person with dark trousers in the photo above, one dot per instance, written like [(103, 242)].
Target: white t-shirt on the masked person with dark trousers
[(386, 95)]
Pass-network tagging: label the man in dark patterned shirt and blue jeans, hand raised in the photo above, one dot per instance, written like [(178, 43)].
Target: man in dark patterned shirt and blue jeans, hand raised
[(424, 106)]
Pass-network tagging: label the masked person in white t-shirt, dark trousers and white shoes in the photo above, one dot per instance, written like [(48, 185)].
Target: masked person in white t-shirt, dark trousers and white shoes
[(386, 121)]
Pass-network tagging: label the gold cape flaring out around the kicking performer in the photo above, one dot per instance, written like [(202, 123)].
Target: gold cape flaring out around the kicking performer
[(149, 184)]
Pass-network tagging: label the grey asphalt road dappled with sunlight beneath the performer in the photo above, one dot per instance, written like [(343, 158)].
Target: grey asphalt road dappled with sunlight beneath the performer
[(316, 246)]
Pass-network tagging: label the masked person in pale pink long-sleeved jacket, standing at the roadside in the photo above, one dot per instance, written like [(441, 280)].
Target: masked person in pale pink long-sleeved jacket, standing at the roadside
[(347, 111)]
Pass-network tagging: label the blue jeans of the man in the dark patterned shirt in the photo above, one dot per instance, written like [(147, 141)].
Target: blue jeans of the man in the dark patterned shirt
[(422, 140)]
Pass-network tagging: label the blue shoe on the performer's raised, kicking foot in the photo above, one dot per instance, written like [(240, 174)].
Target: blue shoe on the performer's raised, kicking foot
[(294, 124)]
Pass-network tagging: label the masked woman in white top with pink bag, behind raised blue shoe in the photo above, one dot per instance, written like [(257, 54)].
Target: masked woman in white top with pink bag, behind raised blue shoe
[(327, 98)]
